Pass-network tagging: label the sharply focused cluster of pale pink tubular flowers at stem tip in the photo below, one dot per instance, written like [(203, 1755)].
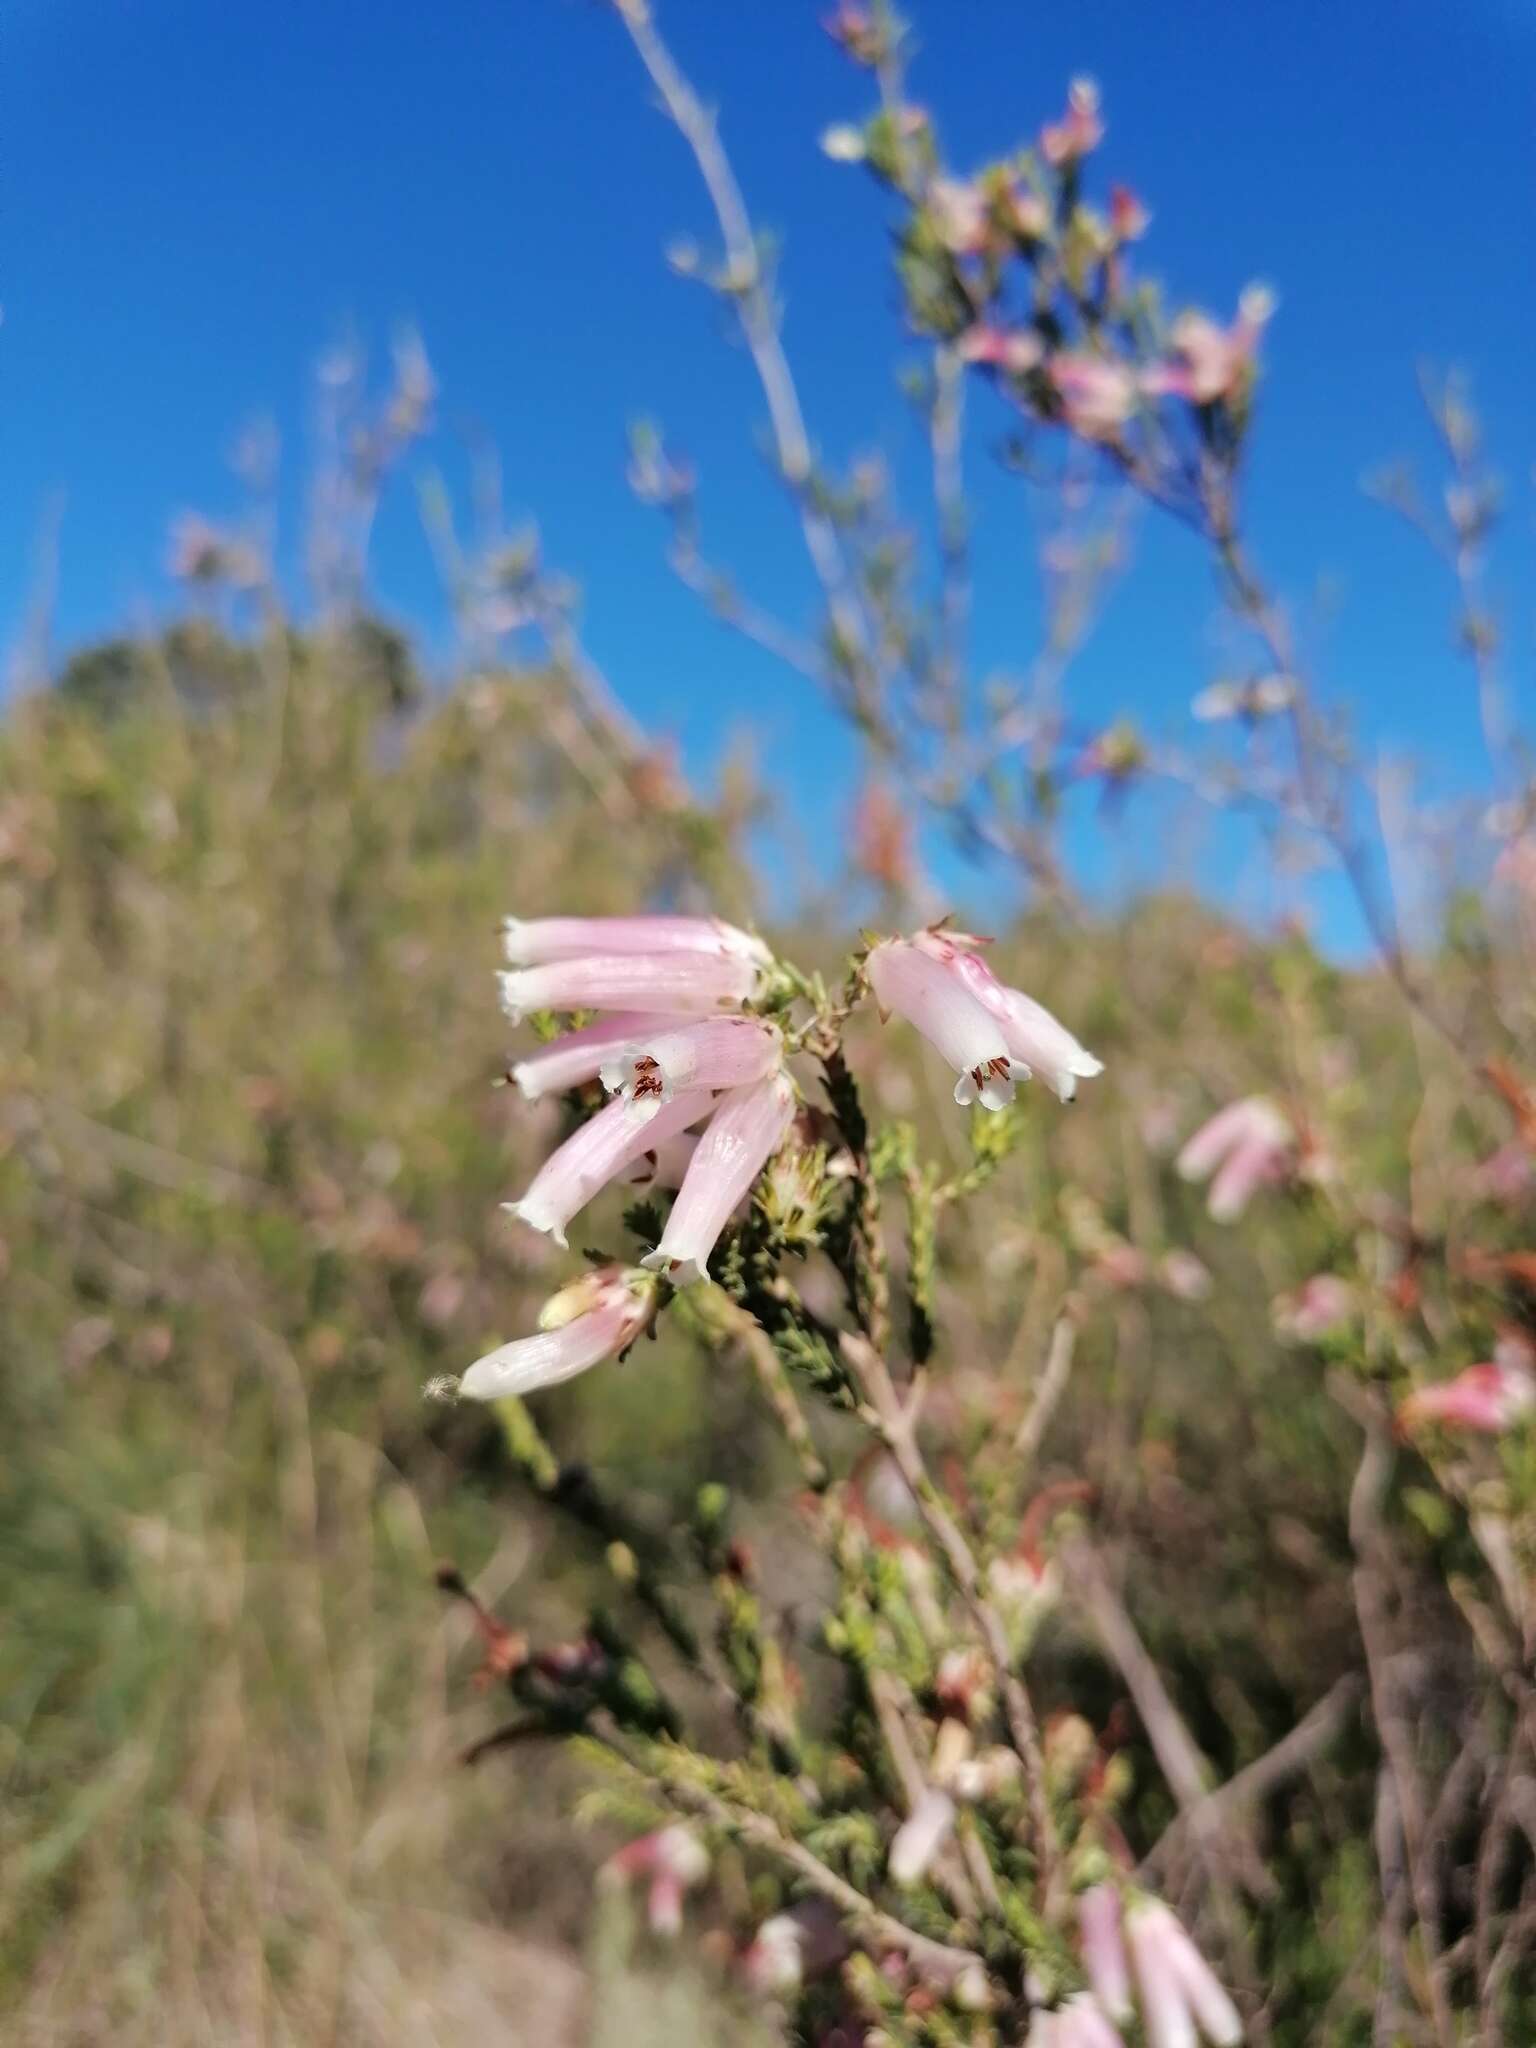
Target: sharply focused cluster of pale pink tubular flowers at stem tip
[(679, 1046)]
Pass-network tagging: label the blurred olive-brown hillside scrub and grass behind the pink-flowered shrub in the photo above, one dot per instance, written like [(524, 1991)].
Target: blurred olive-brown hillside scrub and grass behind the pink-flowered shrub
[(251, 1160)]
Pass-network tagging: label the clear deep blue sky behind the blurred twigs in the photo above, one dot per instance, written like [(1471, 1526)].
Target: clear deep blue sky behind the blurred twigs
[(204, 196)]
